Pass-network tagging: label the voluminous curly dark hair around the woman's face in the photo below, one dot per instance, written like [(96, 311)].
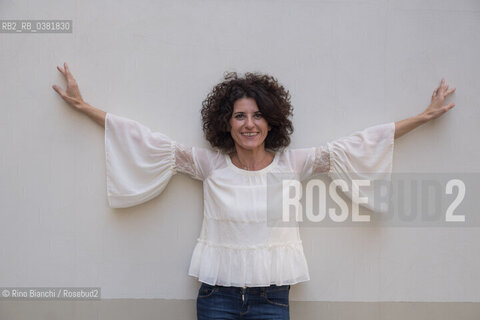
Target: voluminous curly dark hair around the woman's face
[(273, 102)]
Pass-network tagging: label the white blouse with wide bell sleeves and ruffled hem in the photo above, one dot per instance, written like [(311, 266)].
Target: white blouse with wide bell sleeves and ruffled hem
[(236, 247)]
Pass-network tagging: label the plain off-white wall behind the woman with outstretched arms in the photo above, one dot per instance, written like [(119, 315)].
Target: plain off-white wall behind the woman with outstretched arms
[(347, 65)]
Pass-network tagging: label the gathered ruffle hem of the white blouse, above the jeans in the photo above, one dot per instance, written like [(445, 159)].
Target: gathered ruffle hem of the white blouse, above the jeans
[(279, 264)]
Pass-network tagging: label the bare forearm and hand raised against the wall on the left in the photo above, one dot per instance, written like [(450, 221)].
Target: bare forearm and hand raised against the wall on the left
[(73, 97)]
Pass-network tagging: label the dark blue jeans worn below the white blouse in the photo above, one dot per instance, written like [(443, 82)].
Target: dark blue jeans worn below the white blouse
[(218, 302)]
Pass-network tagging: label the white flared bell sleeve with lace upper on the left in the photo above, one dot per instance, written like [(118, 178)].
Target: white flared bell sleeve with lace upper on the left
[(140, 163)]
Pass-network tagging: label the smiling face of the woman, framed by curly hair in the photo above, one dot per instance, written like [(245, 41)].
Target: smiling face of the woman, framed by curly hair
[(247, 125)]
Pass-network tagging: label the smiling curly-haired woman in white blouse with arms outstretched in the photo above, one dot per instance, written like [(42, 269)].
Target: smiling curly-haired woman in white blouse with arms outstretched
[(245, 266)]
